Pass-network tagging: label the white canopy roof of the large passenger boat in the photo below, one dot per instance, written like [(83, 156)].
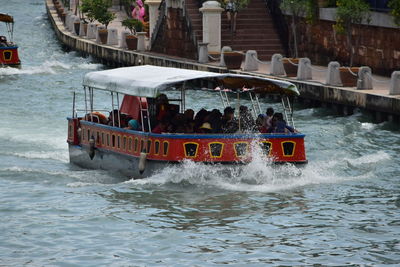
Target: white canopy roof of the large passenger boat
[(148, 81)]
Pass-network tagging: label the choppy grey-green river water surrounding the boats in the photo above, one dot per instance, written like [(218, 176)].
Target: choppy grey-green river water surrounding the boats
[(341, 209)]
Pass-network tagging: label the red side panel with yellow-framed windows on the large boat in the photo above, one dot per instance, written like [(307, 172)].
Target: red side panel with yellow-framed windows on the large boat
[(200, 148)]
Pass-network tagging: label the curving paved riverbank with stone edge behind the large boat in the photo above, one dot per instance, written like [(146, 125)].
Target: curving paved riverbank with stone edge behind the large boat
[(377, 100)]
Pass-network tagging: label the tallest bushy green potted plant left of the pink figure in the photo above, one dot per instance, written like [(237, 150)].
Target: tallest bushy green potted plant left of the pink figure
[(99, 9)]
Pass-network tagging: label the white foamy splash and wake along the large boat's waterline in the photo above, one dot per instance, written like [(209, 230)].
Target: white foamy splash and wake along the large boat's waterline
[(258, 175)]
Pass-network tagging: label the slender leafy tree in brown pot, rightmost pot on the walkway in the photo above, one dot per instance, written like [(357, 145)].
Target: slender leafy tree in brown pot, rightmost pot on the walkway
[(349, 13)]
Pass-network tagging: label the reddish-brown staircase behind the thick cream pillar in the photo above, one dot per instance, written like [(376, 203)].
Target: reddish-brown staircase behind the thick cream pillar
[(254, 29)]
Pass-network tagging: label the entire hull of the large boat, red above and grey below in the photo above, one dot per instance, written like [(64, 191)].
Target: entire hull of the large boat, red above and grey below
[(174, 148)]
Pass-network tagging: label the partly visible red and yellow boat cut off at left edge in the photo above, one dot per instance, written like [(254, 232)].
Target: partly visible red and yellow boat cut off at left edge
[(8, 49)]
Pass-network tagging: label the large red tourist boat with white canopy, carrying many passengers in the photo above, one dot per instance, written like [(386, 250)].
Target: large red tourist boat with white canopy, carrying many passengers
[(97, 145)]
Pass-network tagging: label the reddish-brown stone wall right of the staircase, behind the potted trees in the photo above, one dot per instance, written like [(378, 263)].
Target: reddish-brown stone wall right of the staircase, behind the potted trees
[(379, 47)]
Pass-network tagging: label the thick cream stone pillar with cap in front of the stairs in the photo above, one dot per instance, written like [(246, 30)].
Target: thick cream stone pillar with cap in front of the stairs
[(212, 25)]
